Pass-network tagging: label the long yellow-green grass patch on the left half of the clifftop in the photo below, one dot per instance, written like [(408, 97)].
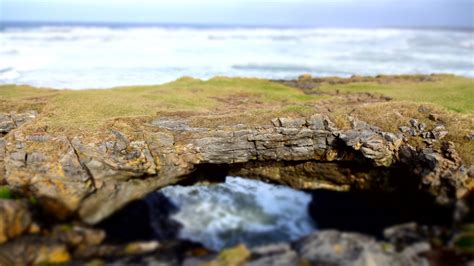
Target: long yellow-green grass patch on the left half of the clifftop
[(89, 109)]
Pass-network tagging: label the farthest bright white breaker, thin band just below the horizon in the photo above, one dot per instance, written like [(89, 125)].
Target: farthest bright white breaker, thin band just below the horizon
[(78, 32)]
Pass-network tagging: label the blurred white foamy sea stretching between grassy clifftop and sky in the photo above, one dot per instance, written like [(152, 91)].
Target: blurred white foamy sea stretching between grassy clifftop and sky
[(79, 56)]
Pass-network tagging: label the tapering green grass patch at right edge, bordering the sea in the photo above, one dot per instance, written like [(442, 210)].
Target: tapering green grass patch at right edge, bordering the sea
[(453, 92)]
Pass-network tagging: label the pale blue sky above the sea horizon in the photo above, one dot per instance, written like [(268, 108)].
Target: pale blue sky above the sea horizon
[(319, 13)]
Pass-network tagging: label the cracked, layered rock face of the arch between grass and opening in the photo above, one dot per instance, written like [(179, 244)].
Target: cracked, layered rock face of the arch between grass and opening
[(94, 176)]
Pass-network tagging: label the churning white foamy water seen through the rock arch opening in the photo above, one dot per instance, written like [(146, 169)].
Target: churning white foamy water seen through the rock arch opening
[(240, 211)]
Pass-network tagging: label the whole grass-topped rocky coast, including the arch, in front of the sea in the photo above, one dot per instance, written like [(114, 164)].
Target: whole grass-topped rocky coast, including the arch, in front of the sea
[(84, 155)]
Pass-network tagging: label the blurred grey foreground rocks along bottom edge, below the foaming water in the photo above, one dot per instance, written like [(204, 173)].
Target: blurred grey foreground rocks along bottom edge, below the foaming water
[(320, 248)]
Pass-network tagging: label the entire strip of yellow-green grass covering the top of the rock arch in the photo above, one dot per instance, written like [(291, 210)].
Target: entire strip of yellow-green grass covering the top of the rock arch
[(222, 100)]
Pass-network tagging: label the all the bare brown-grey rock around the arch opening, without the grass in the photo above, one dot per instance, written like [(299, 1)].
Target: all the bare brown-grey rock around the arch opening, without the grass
[(63, 185)]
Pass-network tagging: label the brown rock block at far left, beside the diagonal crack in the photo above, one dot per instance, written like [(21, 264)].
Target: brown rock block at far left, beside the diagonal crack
[(49, 168)]
